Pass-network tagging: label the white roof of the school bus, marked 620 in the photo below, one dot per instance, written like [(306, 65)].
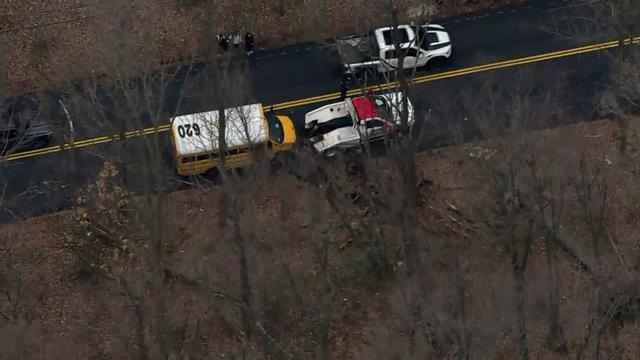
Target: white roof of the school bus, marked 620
[(198, 133)]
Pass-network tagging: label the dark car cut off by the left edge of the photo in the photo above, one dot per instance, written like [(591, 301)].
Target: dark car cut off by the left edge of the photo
[(23, 125)]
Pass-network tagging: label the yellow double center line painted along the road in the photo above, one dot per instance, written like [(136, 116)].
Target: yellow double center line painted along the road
[(336, 95)]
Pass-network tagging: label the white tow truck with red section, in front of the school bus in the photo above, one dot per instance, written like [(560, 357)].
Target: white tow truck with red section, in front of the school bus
[(351, 123)]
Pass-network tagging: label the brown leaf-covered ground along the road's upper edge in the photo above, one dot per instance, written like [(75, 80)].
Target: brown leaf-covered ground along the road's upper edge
[(46, 43)]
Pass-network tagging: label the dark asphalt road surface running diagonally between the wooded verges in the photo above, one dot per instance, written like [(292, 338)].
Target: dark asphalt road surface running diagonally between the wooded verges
[(448, 111)]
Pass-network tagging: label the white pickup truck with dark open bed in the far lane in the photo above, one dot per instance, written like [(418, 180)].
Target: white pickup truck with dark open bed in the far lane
[(376, 49)]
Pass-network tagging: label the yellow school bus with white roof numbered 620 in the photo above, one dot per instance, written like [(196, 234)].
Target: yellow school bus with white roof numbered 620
[(195, 138)]
